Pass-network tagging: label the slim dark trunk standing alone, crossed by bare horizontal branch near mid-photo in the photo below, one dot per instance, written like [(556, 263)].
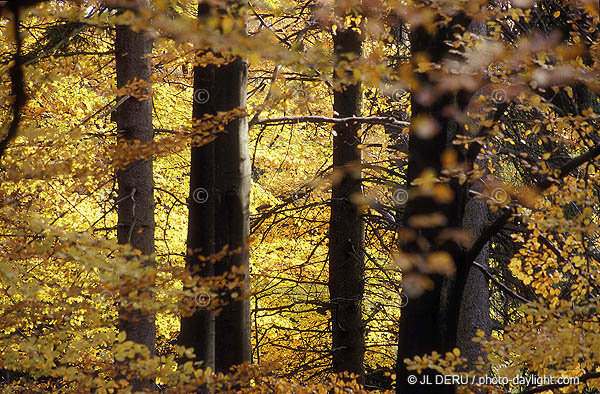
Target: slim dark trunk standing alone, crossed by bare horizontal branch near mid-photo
[(346, 227)]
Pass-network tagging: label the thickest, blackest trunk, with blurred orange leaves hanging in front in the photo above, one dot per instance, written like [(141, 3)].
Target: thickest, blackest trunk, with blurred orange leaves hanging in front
[(429, 320)]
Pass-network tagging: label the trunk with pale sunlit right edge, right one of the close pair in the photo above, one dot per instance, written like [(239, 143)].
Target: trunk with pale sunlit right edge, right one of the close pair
[(232, 225)]
